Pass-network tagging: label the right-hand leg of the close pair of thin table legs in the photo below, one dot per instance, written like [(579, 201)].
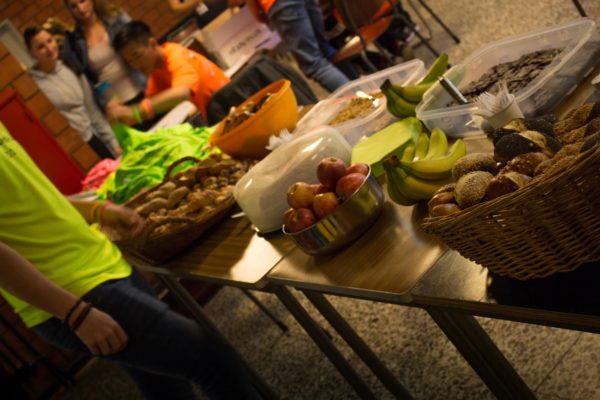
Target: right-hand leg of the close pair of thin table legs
[(357, 344)]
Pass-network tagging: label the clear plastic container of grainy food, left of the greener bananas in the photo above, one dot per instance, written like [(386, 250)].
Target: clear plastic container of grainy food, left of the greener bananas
[(354, 129)]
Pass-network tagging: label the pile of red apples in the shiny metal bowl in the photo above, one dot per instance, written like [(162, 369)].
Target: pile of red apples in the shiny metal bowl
[(311, 202)]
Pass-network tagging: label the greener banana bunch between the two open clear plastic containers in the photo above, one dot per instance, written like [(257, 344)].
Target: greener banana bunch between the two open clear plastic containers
[(402, 100)]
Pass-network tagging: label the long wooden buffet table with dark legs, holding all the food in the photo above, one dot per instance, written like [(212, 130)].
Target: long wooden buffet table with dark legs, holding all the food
[(393, 262)]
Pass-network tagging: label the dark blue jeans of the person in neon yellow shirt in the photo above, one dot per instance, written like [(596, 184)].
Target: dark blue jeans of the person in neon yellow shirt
[(166, 352)]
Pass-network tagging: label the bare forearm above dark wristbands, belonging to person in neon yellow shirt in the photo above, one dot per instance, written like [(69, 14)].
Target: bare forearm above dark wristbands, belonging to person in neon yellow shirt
[(21, 279)]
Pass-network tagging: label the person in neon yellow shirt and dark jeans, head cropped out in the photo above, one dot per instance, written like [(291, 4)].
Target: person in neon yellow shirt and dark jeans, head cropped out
[(71, 285)]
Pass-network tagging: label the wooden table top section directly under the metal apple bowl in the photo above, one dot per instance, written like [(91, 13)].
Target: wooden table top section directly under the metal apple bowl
[(383, 264)]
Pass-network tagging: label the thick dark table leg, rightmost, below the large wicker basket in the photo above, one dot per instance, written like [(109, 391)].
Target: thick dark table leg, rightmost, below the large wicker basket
[(481, 353)]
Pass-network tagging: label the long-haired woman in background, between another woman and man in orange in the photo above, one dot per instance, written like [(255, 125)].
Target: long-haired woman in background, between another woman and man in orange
[(88, 49)]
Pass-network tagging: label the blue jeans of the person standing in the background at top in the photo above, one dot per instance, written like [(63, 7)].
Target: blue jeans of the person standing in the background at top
[(300, 26)]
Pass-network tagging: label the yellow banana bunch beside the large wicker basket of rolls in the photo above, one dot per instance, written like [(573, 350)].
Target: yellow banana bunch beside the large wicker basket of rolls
[(423, 167)]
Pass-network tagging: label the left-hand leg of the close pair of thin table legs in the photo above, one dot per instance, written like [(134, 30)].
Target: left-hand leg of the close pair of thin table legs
[(320, 338)]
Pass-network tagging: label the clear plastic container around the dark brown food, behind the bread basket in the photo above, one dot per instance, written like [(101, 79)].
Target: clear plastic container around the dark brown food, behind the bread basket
[(580, 42)]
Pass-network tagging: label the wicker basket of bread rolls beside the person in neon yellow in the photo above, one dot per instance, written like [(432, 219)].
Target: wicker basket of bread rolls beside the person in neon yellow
[(183, 206)]
